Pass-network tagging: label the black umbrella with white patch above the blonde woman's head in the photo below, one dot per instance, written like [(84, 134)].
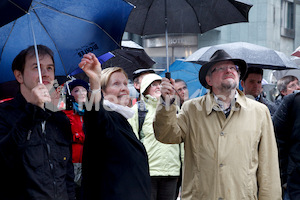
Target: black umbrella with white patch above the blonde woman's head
[(130, 57)]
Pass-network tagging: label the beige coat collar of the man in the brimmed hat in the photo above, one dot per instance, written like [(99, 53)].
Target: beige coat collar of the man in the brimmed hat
[(211, 103)]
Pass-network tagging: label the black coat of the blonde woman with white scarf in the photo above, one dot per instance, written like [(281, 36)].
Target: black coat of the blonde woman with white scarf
[(115, 162)]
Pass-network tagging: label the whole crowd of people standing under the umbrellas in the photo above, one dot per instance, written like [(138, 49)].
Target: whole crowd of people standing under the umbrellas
[(223, 145)]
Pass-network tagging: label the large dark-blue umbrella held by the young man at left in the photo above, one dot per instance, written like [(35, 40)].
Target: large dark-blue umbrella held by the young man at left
[(69, 28)]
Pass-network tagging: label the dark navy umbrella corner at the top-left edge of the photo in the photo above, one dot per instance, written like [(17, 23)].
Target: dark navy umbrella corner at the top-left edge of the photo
[(12, 10)]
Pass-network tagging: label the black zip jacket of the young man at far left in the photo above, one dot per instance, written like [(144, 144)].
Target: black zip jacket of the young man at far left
[(35, 153)]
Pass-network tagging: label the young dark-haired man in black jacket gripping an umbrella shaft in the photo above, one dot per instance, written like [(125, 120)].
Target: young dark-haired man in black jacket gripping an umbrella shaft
[(35, 143)]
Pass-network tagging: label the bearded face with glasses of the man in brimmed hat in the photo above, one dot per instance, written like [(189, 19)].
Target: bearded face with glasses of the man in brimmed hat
[(224, 76)]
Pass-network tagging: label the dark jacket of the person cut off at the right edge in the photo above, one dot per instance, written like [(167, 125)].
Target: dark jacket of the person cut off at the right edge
[(287, 129)]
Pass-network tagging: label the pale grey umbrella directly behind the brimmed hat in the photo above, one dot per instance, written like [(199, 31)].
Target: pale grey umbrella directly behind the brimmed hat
[(254, 55)]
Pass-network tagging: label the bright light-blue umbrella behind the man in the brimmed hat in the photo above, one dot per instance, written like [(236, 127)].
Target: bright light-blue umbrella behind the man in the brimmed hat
[(188, 72)]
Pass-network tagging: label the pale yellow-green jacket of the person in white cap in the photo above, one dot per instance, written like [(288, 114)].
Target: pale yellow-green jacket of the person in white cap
[(164, 159)]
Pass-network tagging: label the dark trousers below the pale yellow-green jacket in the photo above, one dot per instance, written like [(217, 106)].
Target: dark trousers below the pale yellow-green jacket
[(163, 187)]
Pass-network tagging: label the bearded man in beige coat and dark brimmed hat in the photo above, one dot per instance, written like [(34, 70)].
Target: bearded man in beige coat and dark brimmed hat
[(230, 147)]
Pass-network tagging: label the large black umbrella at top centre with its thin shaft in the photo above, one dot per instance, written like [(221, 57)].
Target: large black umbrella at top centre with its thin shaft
[(184, 16)]
